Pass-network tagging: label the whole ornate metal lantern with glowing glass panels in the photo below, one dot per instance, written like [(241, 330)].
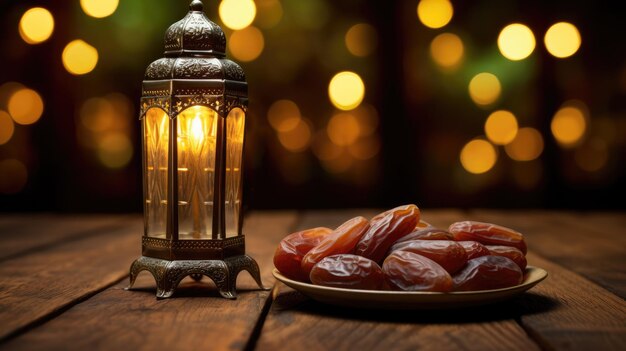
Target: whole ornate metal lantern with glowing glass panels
[(193, 112)]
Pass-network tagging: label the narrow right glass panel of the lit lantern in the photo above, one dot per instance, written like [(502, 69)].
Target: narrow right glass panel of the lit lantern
[(235, 125)]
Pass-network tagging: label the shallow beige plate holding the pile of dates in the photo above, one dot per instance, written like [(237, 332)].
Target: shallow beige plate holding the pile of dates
[(411, 299)]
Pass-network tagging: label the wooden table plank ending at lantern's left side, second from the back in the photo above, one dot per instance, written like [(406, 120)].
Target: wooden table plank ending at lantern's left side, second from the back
[(40, 284)]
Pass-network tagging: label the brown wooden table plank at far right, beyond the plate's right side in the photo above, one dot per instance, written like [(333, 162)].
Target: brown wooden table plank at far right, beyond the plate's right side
[(592, 245)]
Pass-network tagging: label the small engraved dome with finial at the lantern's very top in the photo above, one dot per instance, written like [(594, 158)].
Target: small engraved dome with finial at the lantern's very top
[(195, 35)]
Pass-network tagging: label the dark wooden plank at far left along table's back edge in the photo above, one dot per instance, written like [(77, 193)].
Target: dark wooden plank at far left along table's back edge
[(21, 234)]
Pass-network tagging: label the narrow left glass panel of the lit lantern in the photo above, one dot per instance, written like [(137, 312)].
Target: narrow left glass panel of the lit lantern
[(155, 149)]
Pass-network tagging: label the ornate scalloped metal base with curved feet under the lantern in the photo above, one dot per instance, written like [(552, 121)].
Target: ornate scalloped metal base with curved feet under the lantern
[(168, 274)]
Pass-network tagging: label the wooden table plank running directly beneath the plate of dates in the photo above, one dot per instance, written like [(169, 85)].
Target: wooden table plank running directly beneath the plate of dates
[(295, 322)]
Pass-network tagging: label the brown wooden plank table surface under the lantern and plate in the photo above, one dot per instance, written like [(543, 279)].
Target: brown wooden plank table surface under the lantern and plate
[(62, 280)]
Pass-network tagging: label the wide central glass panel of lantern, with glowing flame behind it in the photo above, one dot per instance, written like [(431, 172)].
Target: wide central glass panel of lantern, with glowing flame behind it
[(197, 132)]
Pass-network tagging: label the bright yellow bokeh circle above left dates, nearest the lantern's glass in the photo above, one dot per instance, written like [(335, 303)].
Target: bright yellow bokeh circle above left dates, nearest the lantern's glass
[(346, 90)]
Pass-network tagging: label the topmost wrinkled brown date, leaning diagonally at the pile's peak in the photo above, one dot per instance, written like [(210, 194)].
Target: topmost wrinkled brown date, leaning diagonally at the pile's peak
[(385, 229)]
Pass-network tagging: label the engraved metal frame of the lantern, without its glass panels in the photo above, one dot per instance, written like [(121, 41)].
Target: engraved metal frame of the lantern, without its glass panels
[(194, 72)]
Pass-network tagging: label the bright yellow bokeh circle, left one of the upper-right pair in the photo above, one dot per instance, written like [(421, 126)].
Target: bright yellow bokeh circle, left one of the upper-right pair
[(516, 41)]
